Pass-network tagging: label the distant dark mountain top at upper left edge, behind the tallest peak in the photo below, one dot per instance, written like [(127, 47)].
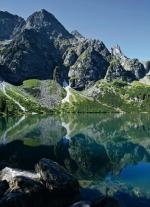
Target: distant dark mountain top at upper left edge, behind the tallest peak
[(9, 25)]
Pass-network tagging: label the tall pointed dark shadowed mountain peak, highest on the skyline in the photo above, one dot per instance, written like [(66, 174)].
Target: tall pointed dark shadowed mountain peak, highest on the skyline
[(33, 52)]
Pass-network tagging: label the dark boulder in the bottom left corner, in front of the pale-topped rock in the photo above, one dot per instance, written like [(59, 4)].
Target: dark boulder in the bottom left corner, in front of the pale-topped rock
[(24, 192)]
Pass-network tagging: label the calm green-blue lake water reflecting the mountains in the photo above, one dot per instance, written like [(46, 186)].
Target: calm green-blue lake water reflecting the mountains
[(105, 152)]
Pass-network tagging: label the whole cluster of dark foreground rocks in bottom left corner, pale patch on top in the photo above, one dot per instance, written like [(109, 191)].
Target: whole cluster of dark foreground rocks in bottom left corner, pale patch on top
[(47, 187)]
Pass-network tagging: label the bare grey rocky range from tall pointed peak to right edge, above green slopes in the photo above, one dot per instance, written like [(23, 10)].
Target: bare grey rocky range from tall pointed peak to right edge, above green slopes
[(64, 47)]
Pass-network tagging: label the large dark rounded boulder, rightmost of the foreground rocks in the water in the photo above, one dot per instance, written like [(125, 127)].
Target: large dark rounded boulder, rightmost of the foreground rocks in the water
[(56, 178)]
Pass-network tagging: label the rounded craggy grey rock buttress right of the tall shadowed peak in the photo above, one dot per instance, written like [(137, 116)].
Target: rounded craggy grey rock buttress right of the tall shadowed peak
[(91, 64)]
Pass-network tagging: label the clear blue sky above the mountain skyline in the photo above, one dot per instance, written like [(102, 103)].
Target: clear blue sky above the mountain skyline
[(123, 22)]
